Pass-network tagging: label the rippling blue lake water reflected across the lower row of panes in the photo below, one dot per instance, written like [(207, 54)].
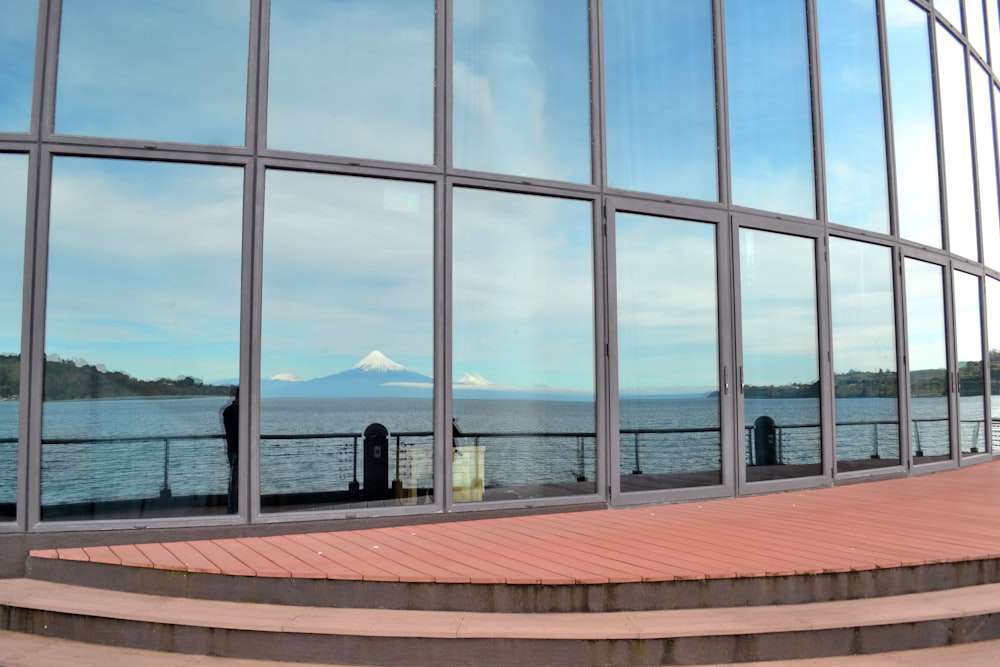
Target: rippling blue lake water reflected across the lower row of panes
[(131, 448)]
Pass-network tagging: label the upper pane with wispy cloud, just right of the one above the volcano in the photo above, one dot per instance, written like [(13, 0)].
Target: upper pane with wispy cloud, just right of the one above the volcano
[(521, 73)]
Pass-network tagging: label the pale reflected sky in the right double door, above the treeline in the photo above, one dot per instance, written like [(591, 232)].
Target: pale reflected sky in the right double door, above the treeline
[(778, 299)]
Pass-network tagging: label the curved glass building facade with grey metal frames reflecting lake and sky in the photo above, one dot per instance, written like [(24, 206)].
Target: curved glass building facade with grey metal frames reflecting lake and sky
[(461, 255)]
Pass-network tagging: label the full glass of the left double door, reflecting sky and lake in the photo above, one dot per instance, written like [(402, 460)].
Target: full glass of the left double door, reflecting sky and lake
[(668, 353)]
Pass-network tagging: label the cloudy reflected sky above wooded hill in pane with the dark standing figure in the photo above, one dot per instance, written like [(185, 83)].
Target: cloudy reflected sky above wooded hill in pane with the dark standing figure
[(144, 267)]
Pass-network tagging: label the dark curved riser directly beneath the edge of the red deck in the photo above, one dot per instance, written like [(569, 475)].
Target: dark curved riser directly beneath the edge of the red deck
[(642, 595)]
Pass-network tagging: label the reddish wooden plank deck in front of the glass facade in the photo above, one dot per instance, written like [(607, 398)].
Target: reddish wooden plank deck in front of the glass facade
[(945, 517)]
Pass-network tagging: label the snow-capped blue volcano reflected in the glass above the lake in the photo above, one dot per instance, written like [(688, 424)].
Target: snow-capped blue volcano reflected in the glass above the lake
[(375, 376)]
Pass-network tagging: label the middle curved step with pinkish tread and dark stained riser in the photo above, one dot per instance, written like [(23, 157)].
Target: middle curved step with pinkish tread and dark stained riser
[(350, 636)]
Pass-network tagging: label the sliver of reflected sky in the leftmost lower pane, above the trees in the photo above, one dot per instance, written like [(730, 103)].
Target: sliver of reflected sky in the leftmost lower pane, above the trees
[(13, 199)]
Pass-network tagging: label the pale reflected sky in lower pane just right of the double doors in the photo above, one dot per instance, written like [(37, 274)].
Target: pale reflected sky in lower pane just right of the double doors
[(864, 337)]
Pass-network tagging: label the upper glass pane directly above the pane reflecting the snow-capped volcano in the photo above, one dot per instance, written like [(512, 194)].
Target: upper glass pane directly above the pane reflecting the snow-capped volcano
[(352, 78)]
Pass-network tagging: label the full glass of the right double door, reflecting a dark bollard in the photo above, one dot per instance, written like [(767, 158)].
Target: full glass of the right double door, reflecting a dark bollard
[(781, 390)]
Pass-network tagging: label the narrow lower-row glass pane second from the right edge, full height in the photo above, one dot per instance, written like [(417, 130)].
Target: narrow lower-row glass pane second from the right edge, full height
[(969, 346)]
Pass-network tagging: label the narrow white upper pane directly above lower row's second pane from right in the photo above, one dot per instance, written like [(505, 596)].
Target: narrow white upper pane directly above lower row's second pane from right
[(957, 146)]
